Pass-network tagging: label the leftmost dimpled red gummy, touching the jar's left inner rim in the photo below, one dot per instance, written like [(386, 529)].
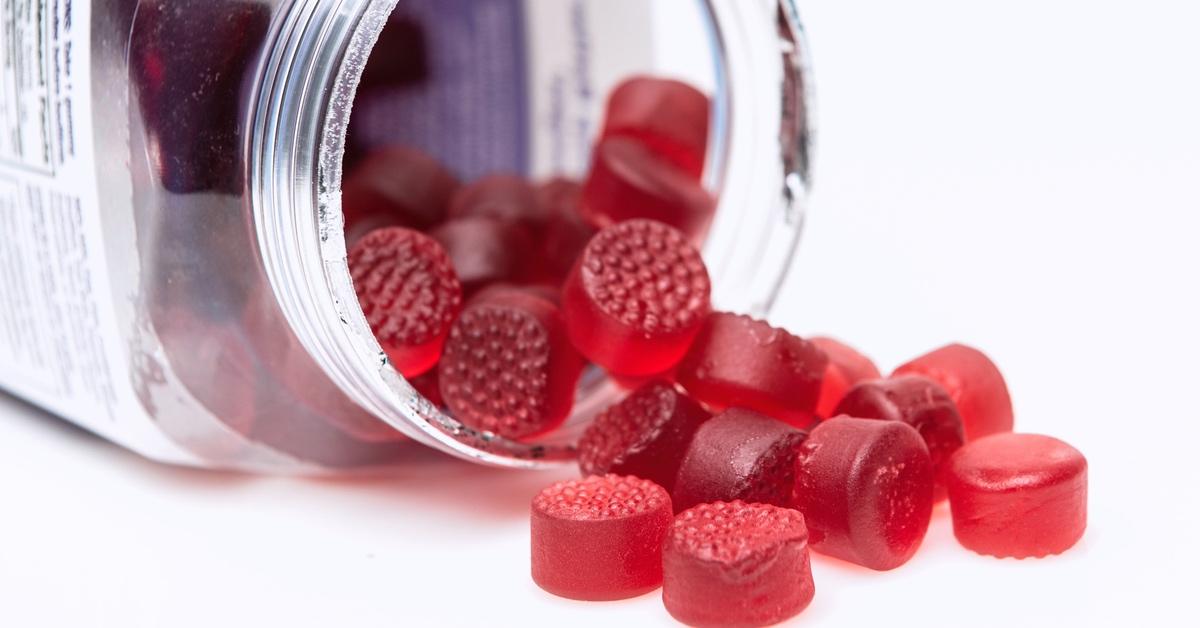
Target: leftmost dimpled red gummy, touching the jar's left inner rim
[(410, 295)]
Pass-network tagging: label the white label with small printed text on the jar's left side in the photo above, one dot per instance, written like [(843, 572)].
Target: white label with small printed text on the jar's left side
[(59, 342)]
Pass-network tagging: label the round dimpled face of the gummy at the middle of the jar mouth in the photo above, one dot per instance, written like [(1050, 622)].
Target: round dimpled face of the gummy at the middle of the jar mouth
[(646, 276)]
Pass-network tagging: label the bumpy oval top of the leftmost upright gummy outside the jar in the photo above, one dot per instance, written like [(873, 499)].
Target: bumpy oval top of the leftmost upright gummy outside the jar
[(602, 498)]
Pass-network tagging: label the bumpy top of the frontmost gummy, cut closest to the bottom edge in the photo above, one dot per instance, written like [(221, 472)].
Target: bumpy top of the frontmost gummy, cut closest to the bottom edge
[(733, 533)]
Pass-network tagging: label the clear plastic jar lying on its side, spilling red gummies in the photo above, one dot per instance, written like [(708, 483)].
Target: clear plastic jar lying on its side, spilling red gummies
[(178, 235)]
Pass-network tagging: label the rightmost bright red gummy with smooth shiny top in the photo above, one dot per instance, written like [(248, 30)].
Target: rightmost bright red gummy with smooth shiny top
[(1018, 495)]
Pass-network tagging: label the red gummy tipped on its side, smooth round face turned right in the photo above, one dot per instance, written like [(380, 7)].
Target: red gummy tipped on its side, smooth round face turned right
[(867, 491)]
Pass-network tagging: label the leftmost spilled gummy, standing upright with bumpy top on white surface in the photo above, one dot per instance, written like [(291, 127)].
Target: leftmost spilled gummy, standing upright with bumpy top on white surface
[(599, 539)]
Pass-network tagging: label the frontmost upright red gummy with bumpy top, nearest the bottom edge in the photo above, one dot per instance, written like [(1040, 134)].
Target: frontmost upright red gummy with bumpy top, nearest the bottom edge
[(737, 565)]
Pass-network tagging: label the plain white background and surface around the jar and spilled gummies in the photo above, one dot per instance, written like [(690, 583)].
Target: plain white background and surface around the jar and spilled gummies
[(1022, 176)]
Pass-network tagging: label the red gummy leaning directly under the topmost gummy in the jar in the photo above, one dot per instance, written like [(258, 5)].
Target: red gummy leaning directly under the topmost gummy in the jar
[(628, 182)]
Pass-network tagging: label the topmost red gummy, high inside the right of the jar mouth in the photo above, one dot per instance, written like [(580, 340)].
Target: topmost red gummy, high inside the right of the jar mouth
[(669, 117)]
